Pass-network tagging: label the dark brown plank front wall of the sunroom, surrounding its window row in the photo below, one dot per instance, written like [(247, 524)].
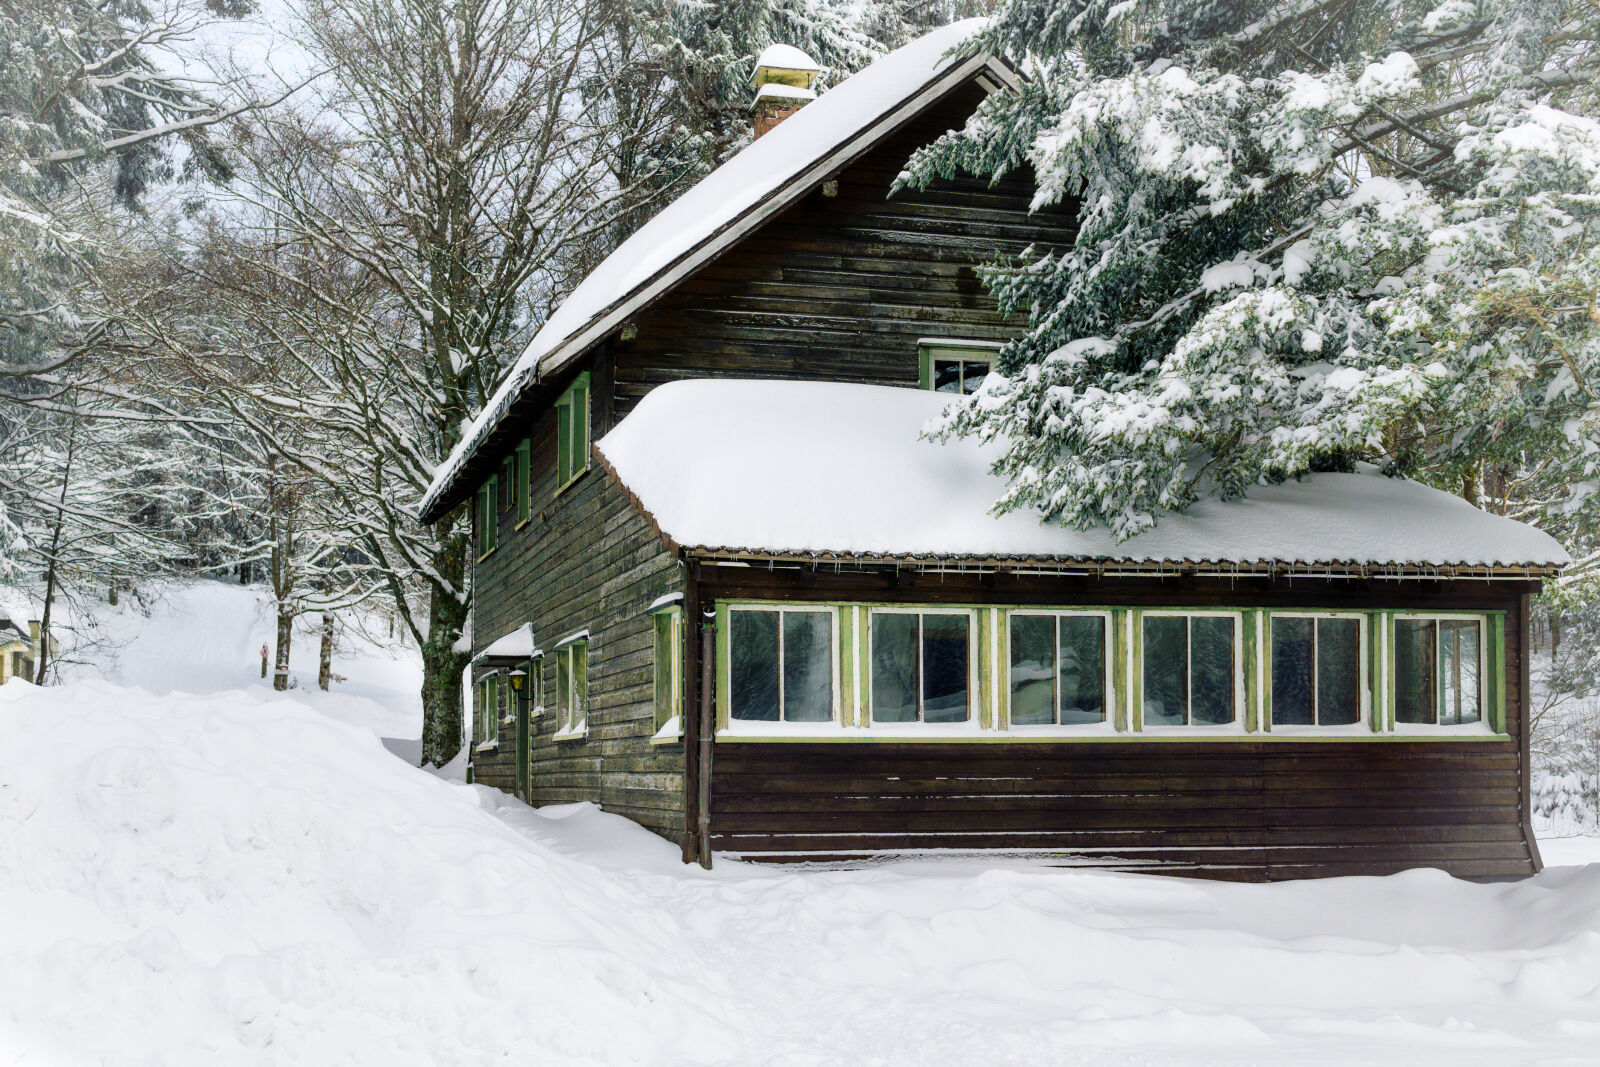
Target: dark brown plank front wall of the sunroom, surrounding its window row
[(1257, 810)]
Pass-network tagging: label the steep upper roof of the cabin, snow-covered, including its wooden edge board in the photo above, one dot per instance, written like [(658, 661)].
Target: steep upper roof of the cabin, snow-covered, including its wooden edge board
[(753, 186)]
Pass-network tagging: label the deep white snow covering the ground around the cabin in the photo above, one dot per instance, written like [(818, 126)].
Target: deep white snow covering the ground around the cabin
[(242, 879)]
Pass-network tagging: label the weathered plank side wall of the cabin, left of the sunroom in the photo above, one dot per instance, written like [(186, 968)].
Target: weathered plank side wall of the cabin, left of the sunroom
[(588, 561)]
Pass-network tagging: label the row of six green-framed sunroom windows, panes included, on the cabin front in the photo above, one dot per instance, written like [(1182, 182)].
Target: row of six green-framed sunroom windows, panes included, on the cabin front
[(1177, 669)]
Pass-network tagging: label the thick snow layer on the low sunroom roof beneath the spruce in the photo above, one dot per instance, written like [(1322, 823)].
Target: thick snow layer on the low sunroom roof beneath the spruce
[(830, 468)]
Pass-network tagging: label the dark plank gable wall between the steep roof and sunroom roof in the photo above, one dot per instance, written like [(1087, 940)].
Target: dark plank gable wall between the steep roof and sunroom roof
[(842, 289)]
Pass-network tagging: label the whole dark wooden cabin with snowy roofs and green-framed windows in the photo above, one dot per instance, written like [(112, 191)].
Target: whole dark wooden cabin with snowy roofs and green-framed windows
[(726, 589)]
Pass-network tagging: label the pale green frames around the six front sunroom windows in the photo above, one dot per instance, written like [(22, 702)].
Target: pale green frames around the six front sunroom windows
[(1226, 673)]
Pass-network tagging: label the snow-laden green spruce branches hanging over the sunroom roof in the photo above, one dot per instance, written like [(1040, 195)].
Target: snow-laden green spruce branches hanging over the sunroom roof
[(1311, 233)]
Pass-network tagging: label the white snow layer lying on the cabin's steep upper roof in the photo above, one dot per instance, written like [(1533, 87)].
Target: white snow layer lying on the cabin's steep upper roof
[(721, 199)]
